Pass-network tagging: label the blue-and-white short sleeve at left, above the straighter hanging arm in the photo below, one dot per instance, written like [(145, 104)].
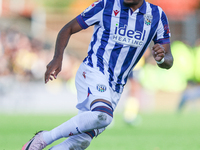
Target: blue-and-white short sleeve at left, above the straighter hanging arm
[(91, 15)]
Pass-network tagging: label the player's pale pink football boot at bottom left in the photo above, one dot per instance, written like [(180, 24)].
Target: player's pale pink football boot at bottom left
[(36, 143)]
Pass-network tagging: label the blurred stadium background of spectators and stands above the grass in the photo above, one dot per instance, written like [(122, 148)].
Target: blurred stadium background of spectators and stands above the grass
[(28, 30)]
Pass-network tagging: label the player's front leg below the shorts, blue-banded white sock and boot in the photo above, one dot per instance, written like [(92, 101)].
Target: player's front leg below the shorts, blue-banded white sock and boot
[(99, 117)]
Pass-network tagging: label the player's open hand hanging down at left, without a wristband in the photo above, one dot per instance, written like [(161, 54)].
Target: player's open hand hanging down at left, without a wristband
[(53, 68)]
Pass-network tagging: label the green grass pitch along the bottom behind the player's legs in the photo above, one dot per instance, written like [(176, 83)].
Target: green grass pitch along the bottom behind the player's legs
[(157, 131)]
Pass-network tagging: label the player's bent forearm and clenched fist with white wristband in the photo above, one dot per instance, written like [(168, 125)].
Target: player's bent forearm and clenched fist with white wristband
[(163, 56)]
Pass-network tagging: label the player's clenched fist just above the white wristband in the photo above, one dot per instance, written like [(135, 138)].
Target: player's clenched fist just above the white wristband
[(158, 52)]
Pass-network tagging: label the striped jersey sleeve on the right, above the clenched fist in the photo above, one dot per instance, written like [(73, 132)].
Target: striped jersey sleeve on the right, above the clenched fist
[(163, 32)]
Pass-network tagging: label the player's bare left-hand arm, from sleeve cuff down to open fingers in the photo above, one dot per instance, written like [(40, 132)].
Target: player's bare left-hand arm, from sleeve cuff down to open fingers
[(54, 67)]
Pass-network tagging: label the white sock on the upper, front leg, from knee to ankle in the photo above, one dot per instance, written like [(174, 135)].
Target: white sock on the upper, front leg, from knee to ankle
[(83, 122)]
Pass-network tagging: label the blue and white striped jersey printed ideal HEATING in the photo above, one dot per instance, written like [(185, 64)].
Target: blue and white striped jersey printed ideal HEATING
[(121, 36)]
